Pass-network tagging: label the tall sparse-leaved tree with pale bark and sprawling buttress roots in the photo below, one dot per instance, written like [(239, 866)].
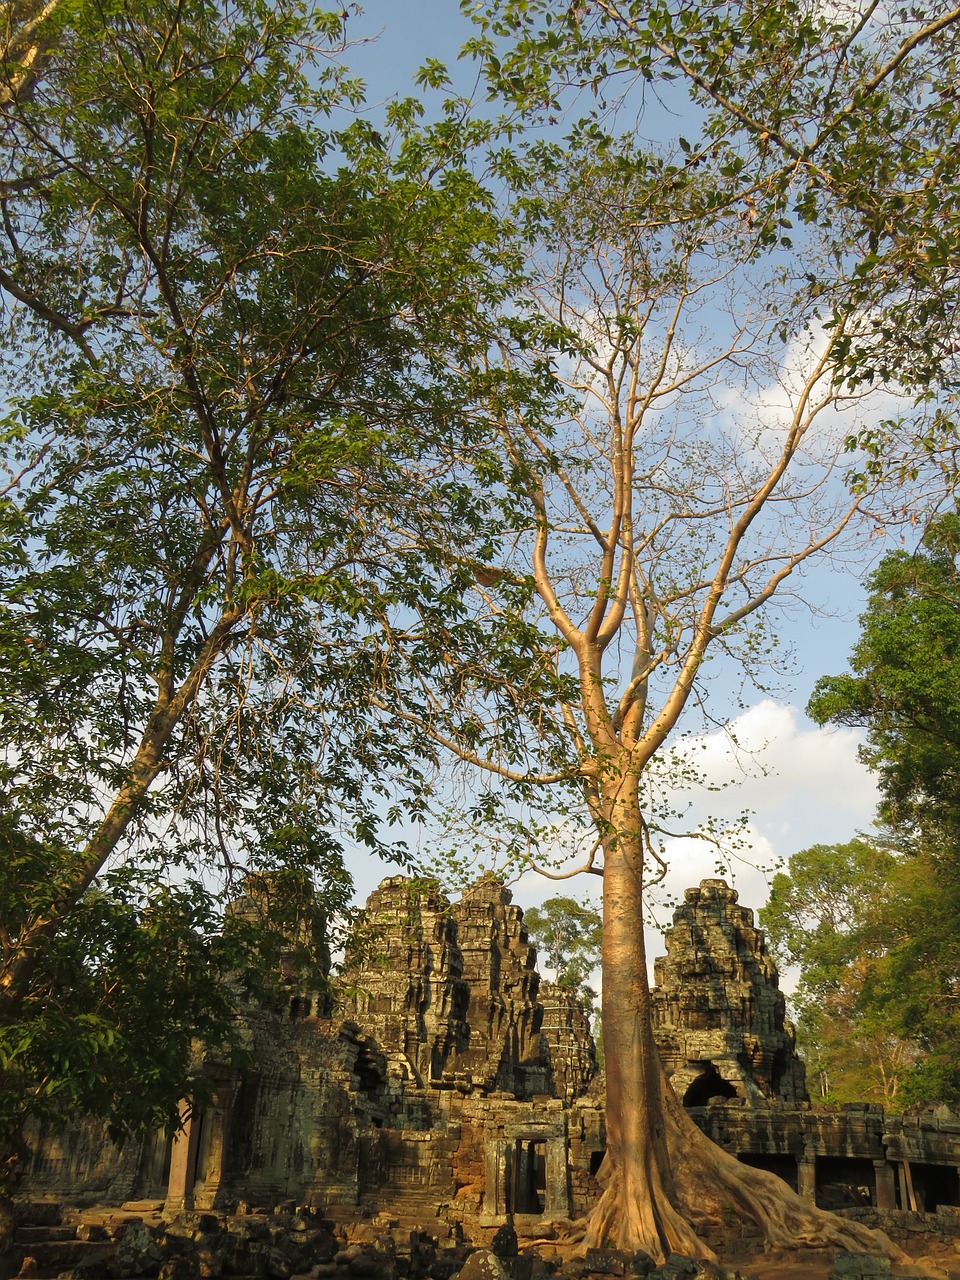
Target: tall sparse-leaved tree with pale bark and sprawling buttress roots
[(657, 529)]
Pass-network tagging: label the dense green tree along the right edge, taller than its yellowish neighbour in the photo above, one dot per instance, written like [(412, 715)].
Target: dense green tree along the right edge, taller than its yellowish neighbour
[(904, 692)]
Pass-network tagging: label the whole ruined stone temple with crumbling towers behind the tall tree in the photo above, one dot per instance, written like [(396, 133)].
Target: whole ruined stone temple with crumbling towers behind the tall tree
[(454, 1084)]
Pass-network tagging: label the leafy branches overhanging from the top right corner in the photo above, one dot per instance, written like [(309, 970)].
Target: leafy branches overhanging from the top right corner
[(828, 120)]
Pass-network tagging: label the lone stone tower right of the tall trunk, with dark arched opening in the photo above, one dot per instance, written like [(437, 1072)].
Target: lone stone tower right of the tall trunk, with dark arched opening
[(717, 1009)]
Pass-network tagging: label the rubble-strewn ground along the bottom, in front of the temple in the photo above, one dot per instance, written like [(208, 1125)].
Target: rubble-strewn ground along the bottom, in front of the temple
[(104, 1245)]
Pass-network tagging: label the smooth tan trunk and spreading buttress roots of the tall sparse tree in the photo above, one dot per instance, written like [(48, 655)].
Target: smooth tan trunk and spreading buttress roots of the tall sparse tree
[(664, 1177)]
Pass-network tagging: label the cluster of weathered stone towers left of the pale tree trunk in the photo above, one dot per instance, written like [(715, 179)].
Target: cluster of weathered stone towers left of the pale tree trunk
[(455, 998)]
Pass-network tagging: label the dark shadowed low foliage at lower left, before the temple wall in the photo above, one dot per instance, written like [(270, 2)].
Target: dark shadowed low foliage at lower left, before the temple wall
[(124, 996)]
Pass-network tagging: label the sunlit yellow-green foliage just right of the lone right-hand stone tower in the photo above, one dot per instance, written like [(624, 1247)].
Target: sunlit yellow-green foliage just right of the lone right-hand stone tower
[(872, 931)]
